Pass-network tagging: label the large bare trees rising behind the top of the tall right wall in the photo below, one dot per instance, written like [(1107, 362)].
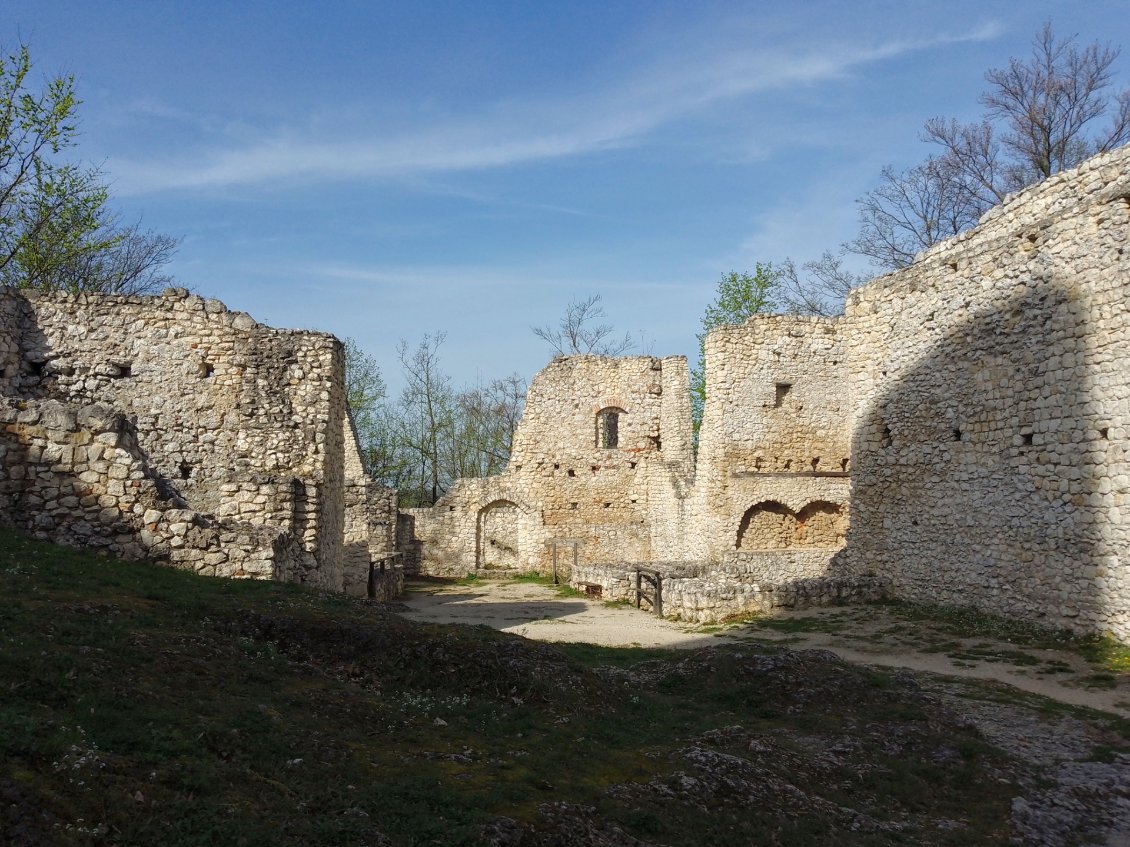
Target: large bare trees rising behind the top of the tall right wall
[(1042, 118)]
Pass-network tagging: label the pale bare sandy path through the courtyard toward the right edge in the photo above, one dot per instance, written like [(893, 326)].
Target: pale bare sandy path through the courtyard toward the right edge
[(538, 613)]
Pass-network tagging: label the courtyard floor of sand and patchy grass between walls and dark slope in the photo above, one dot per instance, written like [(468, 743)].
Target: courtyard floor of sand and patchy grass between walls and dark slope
[(875, 635)]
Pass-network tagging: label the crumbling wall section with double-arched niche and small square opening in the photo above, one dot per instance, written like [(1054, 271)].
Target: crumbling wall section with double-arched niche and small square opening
[(776, 440)]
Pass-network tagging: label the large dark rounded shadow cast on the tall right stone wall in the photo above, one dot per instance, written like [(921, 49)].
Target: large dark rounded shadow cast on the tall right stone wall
[(978, 469)]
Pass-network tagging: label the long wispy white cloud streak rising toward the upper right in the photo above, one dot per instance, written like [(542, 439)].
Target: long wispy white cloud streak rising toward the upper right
[(518, 133)]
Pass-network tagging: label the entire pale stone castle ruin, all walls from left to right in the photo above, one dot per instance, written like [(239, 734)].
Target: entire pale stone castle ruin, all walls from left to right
[(959, 436)]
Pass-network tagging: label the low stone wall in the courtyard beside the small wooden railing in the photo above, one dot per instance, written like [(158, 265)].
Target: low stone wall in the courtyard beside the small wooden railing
[(707, 595)]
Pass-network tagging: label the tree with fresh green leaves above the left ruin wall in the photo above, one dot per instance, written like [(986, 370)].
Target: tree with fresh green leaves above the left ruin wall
[(56, 231)]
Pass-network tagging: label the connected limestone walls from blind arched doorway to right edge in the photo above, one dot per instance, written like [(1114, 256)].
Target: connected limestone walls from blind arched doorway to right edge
[(959, 436)]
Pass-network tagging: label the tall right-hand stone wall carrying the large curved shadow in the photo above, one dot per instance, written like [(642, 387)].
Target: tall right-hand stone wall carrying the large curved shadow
[(992, 403)]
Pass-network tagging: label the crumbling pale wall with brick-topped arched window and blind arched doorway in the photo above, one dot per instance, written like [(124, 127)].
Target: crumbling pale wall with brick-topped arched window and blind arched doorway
[(601, 458)]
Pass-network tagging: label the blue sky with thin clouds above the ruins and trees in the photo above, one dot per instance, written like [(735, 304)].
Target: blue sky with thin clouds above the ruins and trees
[(381, 171)]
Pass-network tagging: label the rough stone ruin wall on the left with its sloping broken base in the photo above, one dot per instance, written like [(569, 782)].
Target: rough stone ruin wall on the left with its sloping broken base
[(237, 424)]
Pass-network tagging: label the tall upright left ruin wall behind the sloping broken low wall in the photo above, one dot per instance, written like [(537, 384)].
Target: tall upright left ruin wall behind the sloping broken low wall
[(238, 423)]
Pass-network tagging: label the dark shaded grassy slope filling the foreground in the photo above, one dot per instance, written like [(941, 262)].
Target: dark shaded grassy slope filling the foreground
[(142, 706)]
